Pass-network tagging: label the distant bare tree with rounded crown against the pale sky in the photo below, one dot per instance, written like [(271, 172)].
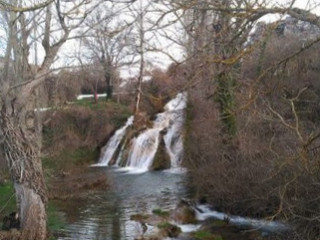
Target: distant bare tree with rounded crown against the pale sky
[(108, 43)]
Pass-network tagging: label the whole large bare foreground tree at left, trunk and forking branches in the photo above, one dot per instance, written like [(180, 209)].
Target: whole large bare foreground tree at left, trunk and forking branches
[(20, 140)]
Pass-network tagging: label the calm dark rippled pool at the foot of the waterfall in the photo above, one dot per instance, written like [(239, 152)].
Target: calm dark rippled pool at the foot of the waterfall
[(107, 214)]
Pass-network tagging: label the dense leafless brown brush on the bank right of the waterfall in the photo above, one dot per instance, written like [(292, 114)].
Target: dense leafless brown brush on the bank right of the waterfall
[(271, 167)]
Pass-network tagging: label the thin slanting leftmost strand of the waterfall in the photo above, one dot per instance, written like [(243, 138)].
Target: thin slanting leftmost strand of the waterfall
[(112, 145)]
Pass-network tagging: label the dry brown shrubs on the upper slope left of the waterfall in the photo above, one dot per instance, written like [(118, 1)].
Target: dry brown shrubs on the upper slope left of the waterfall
[(80, 127)]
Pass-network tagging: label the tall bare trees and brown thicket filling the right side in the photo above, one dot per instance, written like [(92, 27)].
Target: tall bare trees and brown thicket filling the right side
[(273, 141)]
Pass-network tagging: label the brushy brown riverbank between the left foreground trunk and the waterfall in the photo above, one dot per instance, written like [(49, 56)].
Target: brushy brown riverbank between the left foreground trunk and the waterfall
[(72, 138)]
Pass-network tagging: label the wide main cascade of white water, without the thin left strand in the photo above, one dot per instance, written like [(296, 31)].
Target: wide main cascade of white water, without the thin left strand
[(145, 146)]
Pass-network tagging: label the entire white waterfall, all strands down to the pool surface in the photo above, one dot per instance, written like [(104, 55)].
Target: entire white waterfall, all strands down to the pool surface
[(143, 148)]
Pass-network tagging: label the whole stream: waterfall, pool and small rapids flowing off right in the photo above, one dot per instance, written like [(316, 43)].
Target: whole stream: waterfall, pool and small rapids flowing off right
[(134, 189)]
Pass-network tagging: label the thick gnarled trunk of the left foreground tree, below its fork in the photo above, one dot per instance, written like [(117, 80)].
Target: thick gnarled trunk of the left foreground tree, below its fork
[(23, 157)]
